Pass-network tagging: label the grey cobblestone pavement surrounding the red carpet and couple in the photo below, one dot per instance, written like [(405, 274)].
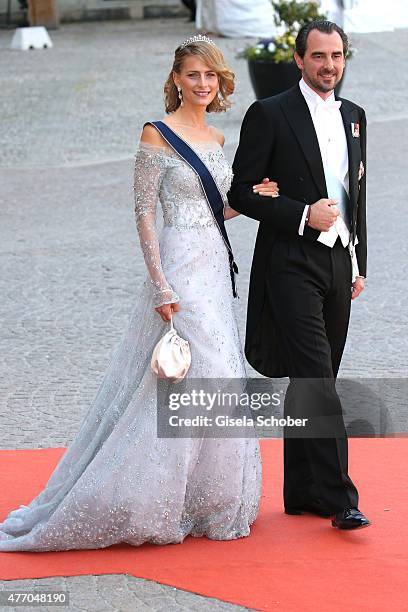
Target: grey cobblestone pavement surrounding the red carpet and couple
[(70, 120)]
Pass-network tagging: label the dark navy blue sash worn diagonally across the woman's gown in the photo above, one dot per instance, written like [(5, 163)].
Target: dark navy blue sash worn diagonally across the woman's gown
[(210, 188)]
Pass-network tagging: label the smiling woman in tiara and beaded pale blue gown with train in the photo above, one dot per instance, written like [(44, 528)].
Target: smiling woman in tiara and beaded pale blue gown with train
[(118, 481)]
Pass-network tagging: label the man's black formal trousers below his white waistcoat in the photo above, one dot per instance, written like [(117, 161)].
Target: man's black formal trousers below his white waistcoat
[(309, 294)]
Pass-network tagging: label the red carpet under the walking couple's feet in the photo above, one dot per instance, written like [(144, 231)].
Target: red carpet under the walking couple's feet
[(288, 563)]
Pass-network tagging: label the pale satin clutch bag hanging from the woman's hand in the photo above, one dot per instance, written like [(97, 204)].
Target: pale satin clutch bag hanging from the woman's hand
[(171, 356)]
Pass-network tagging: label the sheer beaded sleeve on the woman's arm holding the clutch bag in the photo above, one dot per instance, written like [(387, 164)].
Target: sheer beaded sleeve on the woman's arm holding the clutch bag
[(150, 163)]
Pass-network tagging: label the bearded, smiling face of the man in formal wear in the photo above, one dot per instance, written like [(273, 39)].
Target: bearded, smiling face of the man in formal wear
[(323, 64)]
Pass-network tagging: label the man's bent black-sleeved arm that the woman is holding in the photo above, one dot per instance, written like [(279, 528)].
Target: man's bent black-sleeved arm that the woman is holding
[(250, 166)]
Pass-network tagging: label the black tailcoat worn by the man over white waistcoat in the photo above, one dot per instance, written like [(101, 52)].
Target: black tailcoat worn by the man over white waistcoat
[(278, 141)]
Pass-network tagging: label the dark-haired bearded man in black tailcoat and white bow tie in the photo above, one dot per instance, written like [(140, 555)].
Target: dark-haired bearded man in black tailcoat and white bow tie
[(309, 260)]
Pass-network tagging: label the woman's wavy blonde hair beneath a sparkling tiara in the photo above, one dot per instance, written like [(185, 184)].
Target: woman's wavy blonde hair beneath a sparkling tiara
[(213, 57)]
